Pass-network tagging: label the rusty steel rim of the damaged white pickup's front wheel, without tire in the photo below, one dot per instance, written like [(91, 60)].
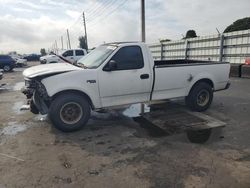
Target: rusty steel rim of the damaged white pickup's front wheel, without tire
[(71, 113)]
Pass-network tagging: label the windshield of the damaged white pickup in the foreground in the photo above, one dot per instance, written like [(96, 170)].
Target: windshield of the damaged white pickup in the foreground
[(95, 58)]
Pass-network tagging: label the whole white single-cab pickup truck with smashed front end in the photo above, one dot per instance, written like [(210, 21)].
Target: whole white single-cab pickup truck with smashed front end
[(119, 74)]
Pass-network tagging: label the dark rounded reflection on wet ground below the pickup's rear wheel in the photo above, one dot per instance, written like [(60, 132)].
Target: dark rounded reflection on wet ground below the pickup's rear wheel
[(199, 136)]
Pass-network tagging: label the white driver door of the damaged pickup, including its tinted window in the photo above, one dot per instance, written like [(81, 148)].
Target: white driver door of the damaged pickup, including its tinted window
[(129, 82)]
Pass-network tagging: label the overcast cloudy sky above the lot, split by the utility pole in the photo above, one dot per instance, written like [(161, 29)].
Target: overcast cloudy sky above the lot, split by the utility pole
[(28, 25)]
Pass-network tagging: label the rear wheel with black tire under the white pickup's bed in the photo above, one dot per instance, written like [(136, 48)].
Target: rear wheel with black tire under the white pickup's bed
[(200, 97)]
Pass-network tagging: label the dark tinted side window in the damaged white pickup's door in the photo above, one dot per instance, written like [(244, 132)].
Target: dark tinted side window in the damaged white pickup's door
[(129, 58)]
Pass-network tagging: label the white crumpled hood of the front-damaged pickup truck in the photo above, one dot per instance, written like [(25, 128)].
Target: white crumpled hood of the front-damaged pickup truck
[(41, 70)]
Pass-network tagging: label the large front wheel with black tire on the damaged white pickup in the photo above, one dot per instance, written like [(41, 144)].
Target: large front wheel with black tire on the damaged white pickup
[(69, 112)]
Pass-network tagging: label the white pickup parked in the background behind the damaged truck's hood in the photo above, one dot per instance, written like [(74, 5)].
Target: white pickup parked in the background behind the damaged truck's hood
[(71, 56)]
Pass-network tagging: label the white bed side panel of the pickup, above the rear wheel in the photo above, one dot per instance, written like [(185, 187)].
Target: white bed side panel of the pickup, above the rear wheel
[(172, 82)]
